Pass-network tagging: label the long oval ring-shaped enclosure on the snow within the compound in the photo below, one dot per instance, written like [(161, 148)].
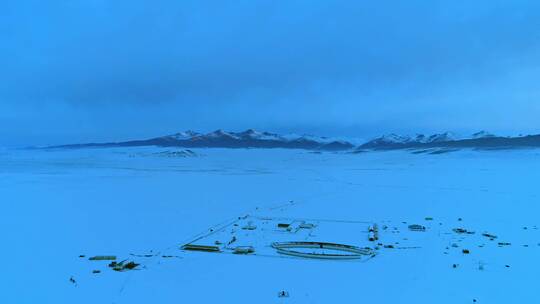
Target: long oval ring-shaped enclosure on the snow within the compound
[(351, 252)]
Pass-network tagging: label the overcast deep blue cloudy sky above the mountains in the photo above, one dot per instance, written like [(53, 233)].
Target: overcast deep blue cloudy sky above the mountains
[(98, 70)]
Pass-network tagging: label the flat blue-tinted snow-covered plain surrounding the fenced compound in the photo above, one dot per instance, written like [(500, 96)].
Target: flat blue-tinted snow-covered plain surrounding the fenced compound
[(59, 204)]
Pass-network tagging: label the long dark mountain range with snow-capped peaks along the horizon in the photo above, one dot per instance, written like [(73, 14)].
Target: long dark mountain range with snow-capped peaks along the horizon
[(435, 143)]
